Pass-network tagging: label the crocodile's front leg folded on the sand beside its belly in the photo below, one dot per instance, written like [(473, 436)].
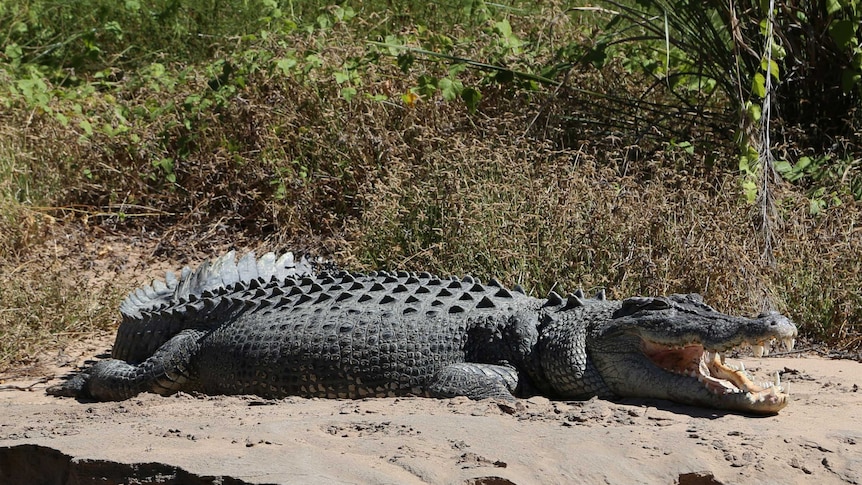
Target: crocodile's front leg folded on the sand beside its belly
[(476, 381)]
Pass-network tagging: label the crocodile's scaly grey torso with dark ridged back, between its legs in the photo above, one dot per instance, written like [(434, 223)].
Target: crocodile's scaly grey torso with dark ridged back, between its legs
[(349, 335)]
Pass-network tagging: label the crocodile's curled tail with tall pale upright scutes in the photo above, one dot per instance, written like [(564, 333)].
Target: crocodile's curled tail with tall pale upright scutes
[(154, 313)]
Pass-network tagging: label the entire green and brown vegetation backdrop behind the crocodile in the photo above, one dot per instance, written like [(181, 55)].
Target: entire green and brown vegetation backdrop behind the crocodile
[(644, 147)]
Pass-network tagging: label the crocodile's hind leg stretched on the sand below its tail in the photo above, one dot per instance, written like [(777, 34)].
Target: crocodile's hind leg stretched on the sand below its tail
[(165, 372)]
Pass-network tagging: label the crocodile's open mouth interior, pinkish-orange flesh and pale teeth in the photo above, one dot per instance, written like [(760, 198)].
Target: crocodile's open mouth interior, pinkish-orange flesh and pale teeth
[(711, 370)]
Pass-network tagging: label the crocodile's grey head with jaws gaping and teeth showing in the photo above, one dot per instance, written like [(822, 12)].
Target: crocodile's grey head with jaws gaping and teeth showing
[(674, 348)]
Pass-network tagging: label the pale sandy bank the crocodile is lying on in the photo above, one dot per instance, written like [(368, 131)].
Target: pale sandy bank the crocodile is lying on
[(204, 439)]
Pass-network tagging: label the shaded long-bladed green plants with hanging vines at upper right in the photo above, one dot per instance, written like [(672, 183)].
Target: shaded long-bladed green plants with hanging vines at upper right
[(804, 58)]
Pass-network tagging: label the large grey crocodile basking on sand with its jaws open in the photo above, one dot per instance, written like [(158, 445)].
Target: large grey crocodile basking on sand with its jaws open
[(276, 326)]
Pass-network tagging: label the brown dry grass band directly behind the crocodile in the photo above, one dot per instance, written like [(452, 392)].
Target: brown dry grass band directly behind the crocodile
[(284, 163)]
